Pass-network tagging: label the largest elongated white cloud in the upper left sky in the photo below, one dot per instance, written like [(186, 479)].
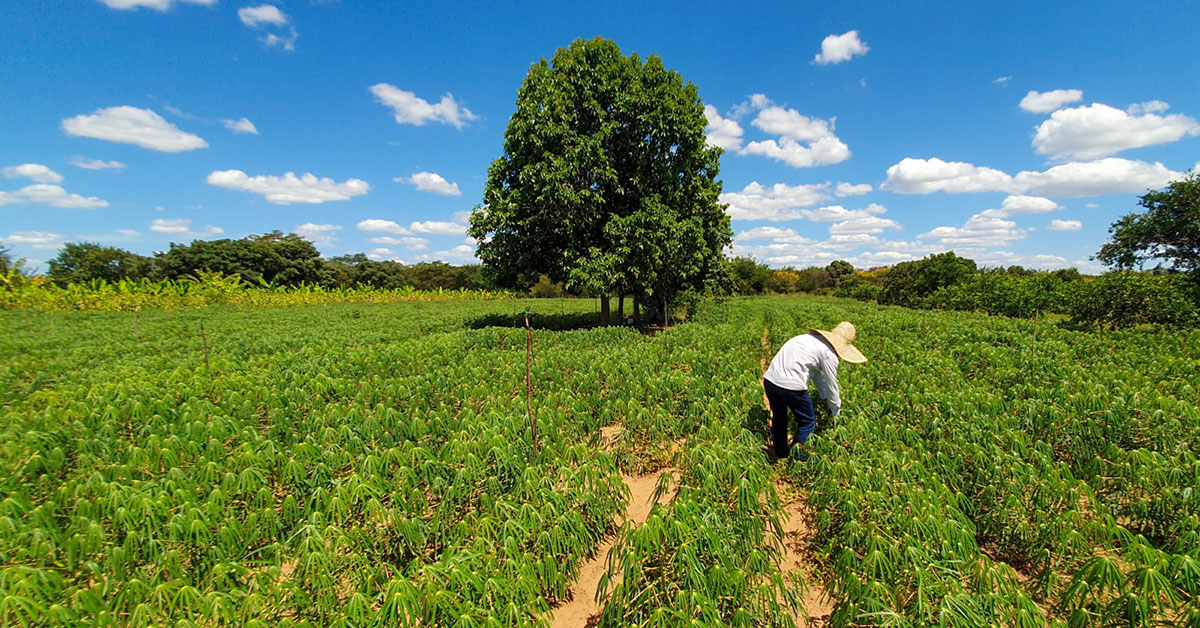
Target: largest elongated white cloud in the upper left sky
[(131, 125)]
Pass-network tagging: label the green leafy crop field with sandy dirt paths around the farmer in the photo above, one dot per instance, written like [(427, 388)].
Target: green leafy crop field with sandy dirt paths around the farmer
[(399, 465)]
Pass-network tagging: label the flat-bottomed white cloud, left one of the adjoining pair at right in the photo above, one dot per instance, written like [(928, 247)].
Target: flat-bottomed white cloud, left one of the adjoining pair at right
[(926, 177)]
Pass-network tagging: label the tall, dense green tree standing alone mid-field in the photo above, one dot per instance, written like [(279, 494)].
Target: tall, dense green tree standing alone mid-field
[(607, 183)]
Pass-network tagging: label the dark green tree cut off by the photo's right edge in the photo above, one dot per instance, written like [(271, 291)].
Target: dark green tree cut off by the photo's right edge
[(1168, 231)]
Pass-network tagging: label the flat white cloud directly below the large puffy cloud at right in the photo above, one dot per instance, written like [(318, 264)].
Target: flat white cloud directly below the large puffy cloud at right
[(1111, 176)]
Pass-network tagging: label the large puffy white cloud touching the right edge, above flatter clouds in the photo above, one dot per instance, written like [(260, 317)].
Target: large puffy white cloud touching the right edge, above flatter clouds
[(1099, 130)]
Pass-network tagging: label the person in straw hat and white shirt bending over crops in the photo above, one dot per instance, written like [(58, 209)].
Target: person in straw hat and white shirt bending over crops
[(814, 355)]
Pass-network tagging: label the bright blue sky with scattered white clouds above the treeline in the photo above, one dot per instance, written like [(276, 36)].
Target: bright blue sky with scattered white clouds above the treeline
[(1011, 133)]
